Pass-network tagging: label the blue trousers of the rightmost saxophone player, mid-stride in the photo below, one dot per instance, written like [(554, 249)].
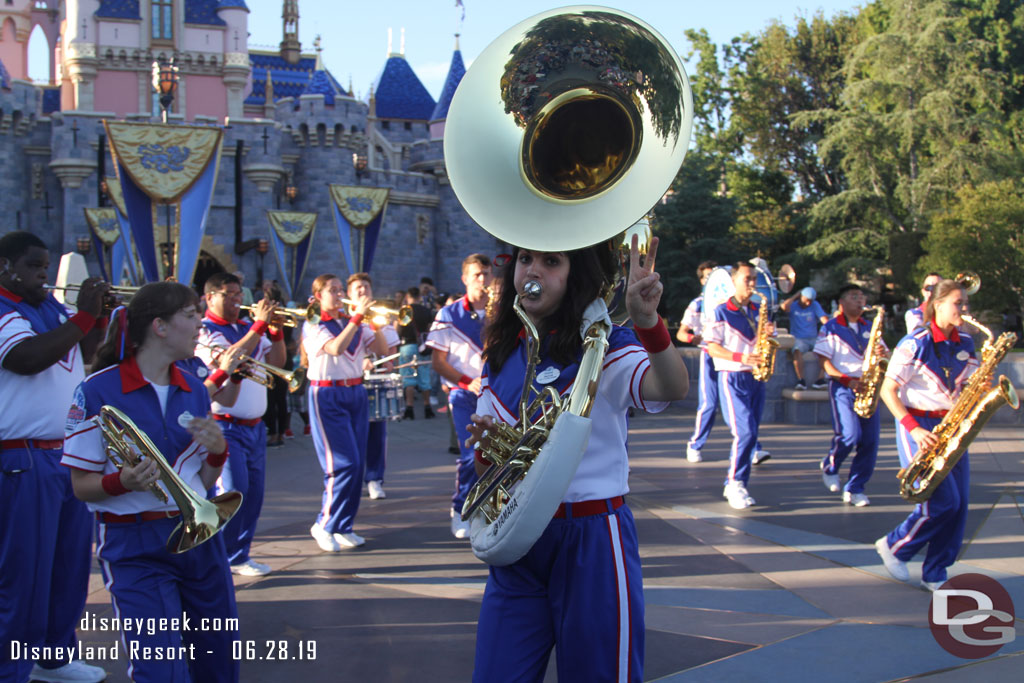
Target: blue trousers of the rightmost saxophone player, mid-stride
[(940, 522)]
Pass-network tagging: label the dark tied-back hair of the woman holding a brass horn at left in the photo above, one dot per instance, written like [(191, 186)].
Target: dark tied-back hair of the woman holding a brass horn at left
[(155, 301)]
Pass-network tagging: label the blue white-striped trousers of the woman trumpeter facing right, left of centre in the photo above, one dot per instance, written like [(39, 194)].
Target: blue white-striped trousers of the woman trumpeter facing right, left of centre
[(339, 424)]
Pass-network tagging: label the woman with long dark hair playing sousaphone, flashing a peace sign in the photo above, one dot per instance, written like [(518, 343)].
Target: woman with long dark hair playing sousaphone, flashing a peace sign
[(579, 589)]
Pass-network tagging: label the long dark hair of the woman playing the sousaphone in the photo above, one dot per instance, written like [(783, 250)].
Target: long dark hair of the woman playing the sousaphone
[(590, 270)]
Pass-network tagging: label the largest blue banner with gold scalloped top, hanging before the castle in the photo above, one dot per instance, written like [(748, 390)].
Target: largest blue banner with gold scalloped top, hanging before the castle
[(174, 168)]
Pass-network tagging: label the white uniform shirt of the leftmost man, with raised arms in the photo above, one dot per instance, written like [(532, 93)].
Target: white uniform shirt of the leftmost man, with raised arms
[(35, 406)]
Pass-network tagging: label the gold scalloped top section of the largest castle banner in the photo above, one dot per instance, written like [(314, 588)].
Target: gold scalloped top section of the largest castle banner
[(164, 161)]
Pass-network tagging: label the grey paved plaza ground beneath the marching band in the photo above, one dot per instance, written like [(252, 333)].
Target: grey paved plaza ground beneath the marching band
[(789, 590)]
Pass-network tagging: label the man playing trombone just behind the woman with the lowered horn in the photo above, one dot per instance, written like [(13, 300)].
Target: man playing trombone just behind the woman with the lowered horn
[(242, 422)]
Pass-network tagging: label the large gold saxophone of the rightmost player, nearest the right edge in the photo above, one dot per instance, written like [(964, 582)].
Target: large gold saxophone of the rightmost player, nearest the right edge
[(977, 403)]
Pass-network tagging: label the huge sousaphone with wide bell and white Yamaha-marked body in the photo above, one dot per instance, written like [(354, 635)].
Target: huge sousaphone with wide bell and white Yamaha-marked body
[(565, 133)]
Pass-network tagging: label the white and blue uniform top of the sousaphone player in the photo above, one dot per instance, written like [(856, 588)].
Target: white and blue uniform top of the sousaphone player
[(604, 473)]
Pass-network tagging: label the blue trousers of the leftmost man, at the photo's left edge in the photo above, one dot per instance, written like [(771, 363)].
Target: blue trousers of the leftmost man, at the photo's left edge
[(46, 553)]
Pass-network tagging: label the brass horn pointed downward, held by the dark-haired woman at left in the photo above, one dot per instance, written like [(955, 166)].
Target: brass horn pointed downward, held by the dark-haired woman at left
[(126, 445)]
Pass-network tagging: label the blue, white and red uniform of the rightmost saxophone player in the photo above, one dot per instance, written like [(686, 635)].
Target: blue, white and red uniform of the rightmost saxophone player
[(931, 371)]
